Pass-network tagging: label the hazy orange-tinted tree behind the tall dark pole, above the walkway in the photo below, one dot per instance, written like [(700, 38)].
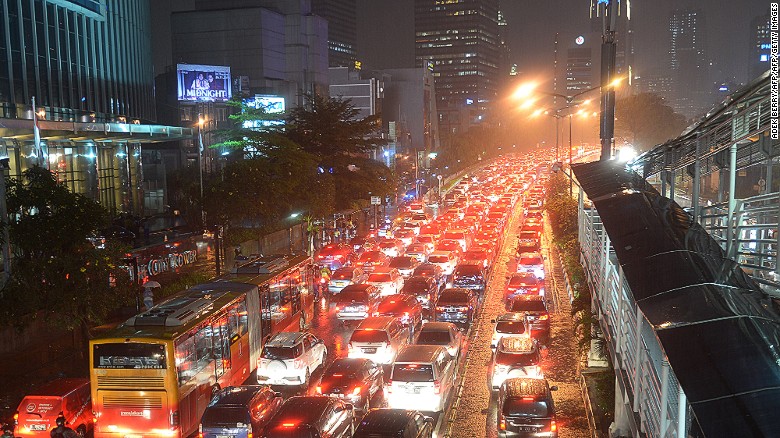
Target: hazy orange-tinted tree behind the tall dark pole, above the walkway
[(646, 120)]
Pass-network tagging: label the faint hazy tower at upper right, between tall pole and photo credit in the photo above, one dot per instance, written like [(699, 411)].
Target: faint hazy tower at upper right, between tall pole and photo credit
[(688, 62)]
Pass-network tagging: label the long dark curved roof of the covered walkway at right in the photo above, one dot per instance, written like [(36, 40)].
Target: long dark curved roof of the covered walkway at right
[(717, 329)]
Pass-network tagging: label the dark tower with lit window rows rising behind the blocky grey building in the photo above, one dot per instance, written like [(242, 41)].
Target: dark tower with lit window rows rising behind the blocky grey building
[(342, 30)]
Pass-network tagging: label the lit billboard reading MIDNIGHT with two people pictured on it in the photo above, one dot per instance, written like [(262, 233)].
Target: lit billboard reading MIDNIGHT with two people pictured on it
[(203, 83)]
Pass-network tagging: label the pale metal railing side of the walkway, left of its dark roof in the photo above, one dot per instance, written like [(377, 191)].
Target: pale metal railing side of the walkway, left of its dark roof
[(653, 392)]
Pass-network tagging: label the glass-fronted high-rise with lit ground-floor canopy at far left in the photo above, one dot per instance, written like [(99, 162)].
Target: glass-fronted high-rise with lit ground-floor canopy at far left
[(88, 64)]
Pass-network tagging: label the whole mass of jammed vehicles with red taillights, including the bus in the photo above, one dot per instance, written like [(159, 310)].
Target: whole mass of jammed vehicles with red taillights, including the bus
[(391, 344)]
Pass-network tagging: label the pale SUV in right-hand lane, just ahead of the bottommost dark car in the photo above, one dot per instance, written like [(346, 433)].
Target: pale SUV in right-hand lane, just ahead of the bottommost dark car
[(515, 357)]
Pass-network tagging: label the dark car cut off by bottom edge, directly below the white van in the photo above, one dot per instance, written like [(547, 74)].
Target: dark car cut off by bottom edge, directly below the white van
[(392, 423)]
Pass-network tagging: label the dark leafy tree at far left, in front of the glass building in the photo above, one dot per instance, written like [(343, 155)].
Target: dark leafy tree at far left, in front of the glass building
[(55, 268)]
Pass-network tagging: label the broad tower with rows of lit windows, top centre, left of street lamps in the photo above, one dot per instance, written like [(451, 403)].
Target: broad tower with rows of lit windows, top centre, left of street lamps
[(460, 41)]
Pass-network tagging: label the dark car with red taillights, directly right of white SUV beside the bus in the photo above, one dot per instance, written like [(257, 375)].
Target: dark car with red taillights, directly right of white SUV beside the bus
[(355, 380)]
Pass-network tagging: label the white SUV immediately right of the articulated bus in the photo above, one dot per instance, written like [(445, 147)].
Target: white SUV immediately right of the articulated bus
[(290, 358)]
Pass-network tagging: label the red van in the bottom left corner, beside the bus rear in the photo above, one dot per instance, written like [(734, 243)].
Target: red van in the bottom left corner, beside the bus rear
[(38, 411)]
